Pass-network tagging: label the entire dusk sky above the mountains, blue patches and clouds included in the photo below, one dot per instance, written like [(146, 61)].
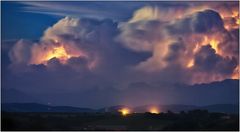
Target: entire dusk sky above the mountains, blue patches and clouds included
[(96, 54)]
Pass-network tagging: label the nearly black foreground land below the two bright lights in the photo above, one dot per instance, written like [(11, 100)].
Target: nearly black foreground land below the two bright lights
[(192, 120)]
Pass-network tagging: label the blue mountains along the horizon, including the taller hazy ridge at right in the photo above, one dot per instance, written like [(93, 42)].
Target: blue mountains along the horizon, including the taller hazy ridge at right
[(14, 100)]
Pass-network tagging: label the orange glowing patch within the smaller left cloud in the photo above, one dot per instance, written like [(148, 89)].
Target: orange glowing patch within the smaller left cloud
[(42, 53)]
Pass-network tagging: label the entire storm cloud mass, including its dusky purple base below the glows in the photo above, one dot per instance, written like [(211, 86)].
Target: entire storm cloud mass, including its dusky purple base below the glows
[(190, 44)]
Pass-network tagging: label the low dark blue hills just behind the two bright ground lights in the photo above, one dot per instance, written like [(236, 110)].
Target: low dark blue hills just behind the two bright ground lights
[(35, 107)]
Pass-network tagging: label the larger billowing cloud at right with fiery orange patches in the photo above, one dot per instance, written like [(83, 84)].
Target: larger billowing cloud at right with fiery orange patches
[(194, 41)]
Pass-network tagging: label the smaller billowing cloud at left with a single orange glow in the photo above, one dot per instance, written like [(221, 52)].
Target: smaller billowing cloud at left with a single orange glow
[(69, 41)]
